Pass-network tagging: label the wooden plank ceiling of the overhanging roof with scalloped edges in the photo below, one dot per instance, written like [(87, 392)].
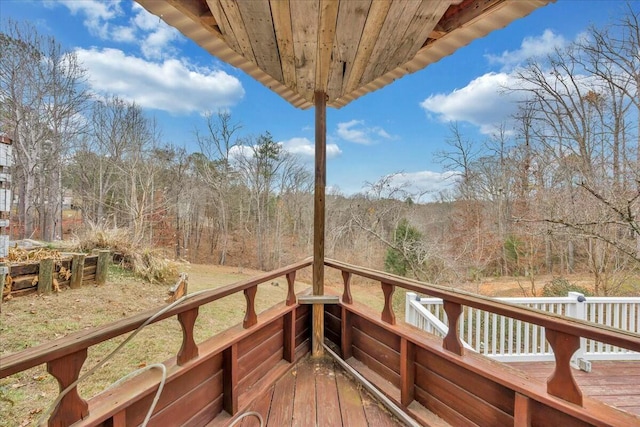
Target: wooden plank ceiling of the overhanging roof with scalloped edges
[(345, 48)]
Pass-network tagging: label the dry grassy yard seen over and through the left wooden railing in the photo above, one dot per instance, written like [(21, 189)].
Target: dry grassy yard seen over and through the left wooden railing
[(31, 320)]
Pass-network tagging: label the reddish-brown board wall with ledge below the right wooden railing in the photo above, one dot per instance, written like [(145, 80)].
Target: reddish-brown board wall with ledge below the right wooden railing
[(462, 389)]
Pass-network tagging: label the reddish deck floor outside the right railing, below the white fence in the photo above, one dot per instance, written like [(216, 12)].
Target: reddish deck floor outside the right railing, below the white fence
[(616, 383)]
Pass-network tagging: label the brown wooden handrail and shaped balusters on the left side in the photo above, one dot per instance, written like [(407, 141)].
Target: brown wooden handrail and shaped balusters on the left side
[(65, 357)]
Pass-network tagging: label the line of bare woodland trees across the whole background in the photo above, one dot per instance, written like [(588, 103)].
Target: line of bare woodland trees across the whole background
[(558, 192)]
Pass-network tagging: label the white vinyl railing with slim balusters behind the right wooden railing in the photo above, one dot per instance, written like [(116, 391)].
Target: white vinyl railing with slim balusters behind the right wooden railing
[(511, 340)]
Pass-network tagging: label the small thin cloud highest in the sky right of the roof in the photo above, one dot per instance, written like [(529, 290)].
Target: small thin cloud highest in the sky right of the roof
[(531, 47)]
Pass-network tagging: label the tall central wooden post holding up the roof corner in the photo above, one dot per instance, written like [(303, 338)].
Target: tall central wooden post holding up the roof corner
[(317, 341)]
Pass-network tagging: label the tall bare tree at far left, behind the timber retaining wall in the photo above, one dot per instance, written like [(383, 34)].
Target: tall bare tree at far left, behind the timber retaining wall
[(43, 95)]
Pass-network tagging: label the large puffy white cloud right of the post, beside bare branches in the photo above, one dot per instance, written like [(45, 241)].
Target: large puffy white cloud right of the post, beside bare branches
[(483, 102)]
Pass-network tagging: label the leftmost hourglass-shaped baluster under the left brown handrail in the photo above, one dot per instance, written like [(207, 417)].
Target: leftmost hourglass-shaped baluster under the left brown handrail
[(72, 407)]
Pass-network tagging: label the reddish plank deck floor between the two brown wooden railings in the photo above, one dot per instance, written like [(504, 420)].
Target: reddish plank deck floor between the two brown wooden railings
[(314, 393)]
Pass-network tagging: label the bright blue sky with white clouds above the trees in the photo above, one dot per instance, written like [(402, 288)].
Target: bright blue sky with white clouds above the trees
[(134, 55)]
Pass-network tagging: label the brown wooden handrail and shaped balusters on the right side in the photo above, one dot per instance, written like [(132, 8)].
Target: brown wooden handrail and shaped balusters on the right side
[(562, 334)]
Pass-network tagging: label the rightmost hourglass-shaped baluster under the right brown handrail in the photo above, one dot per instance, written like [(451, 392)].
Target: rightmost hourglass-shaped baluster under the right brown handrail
[(561, 383)]
